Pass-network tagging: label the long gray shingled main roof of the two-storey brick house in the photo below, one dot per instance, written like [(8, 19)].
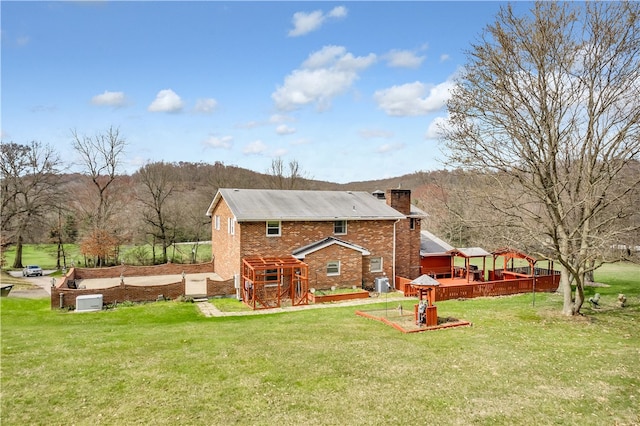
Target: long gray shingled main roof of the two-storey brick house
[(269, 204)]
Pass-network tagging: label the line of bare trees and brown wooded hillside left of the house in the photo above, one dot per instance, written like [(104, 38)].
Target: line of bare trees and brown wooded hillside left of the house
[(102, 208)]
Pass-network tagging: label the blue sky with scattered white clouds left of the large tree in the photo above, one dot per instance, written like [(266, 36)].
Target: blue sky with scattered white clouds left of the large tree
[(351, 90)]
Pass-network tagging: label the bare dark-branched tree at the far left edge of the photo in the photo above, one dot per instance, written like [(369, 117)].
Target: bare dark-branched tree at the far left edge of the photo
[(30, 179)]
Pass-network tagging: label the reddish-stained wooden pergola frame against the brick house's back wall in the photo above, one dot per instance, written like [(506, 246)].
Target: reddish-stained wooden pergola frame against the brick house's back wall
[(267, 281)]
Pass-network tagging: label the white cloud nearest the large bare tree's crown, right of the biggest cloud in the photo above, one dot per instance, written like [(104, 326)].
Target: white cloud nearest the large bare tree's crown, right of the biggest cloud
[(413, 98)]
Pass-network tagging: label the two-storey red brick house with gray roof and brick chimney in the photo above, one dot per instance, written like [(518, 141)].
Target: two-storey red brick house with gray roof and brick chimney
[(340, 238)]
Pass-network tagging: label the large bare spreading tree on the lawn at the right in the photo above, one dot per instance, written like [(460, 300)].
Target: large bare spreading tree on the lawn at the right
[(548, 104)]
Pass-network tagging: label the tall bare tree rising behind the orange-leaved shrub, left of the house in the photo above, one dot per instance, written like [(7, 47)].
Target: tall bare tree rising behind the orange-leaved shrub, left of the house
[(100, 157)]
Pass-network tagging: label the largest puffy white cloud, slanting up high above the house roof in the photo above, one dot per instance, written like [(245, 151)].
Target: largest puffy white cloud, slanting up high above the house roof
[(324, 75)]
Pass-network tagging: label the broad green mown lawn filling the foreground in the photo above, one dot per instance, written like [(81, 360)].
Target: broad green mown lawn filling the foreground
[(164, 363)]
